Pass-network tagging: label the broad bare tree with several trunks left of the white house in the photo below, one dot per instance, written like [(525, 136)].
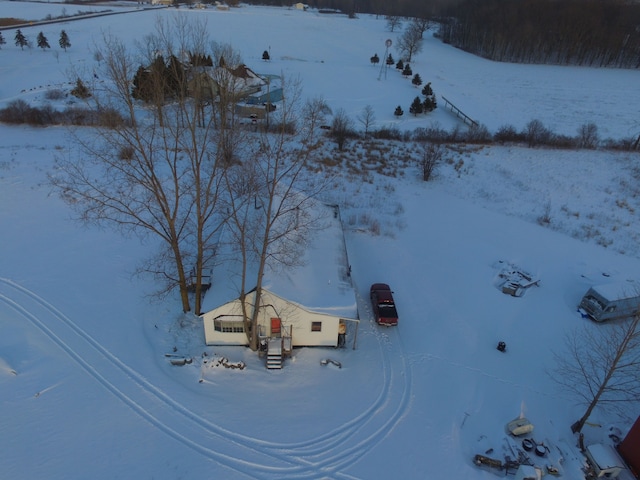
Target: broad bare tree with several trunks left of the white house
[(156, 172)]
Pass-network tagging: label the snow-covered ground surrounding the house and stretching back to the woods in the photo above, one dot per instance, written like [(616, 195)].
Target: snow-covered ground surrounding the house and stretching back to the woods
[(86, 390)]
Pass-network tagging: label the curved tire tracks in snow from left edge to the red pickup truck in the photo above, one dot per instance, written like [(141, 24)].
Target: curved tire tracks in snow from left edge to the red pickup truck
[(321, 457)]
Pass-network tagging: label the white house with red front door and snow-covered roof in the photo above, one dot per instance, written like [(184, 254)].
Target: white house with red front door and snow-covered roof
[(310, 304)]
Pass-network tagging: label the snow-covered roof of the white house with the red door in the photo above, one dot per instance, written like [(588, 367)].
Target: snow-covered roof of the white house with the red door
[(322, 284)]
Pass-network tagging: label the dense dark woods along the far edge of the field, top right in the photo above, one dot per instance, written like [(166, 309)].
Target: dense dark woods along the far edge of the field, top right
[(567, 32)]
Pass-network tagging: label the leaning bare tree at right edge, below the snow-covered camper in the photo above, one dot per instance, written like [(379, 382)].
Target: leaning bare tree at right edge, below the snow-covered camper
[(600, 365)]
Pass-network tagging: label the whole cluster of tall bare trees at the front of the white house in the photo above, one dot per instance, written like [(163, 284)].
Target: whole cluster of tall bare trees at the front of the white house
[(182, 170)]
